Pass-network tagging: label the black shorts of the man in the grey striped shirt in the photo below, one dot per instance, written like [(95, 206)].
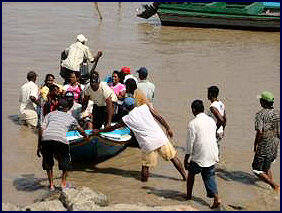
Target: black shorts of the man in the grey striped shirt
[(55, 149)]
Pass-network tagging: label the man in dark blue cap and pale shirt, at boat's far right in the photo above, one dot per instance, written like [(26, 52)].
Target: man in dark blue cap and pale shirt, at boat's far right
[(144, 85)]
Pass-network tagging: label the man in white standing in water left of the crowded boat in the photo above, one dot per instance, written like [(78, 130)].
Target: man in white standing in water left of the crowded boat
[(28, 101)]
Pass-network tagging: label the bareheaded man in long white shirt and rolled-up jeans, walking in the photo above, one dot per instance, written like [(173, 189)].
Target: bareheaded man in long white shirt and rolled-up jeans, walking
[(202, 152)]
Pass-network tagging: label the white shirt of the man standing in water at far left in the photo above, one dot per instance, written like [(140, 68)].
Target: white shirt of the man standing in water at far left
[(27, 90)]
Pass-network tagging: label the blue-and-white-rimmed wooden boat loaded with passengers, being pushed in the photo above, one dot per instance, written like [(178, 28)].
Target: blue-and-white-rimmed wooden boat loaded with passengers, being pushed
[(100, 148)]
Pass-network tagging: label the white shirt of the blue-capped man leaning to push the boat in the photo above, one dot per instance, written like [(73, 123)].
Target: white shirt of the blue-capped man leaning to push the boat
[(148, 133)]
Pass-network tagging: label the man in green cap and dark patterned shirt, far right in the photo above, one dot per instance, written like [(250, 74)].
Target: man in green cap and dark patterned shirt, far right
[(267, 140)]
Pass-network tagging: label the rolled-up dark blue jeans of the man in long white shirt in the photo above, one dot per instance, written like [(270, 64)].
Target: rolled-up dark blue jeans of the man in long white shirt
[(208, 176)]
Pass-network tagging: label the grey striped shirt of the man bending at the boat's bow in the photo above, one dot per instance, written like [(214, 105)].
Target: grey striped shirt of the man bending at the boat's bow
[(56, 125)]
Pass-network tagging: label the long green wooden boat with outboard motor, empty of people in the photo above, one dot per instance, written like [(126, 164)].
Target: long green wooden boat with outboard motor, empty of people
[(235, 15)]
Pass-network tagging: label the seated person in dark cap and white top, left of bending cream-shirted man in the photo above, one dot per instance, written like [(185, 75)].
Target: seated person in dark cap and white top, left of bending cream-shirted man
[(75, 109)]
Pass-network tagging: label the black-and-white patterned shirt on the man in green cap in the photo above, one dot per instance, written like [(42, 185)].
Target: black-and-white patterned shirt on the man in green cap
[(268, 122)]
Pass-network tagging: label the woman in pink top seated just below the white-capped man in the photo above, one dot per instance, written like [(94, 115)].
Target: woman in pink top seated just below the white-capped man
[(75, 87)]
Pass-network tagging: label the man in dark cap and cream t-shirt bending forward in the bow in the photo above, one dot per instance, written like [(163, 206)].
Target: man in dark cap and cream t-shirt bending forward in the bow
[(103, 98)]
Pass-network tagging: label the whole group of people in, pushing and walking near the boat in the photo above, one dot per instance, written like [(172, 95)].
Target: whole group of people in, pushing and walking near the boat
[(128, 101)]
